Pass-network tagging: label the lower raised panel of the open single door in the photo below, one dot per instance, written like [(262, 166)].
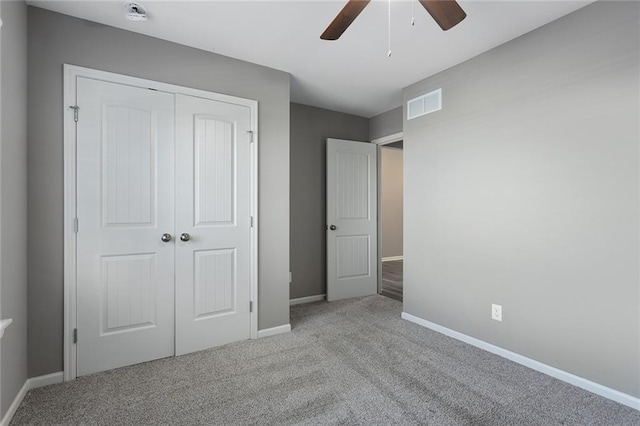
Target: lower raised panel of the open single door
[(352, 256)]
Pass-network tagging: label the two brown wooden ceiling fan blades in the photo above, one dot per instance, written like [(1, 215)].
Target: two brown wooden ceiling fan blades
[(446, 13)]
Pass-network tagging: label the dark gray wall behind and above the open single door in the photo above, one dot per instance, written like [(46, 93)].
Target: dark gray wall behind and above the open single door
[(310, 128)]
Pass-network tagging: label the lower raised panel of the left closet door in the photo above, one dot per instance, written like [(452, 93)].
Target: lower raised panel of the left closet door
[(129, 292)]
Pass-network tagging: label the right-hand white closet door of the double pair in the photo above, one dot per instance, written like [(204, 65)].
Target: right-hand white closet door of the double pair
[(213, 223)]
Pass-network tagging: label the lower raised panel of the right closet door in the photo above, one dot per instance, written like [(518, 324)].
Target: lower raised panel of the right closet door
[(215, 282)]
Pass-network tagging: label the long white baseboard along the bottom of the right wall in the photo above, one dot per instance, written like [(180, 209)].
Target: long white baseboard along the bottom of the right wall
[(578, 381)]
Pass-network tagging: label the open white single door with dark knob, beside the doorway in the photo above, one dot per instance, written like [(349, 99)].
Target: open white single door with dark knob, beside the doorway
[(351, 219)]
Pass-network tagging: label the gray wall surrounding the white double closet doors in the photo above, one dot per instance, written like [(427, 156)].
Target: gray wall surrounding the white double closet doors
[(56, 39)]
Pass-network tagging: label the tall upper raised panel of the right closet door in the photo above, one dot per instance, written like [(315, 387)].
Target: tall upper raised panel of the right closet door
[(215, 170)]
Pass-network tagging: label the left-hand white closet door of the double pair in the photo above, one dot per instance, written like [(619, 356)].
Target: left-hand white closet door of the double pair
[(125, 199)]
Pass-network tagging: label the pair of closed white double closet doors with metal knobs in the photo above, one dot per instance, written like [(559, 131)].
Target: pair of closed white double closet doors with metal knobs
[(163, 241)]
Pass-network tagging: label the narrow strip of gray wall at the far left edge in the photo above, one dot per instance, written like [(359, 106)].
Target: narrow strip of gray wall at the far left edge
[(13, 199)]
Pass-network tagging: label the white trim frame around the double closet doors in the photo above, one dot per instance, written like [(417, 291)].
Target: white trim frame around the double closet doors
[(70, 75)]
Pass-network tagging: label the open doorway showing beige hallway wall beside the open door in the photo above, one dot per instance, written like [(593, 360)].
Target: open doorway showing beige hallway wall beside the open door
[(390, 213)]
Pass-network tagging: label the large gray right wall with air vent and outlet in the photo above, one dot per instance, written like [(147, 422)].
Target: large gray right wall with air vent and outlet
[(523, 191)]
